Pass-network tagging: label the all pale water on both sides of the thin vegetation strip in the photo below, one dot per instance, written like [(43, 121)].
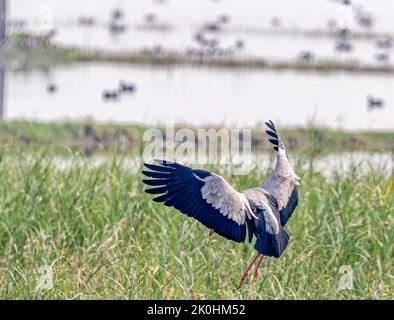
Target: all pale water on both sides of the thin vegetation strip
[(204, 96)]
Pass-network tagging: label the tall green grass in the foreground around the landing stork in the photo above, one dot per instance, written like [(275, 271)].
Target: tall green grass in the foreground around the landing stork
[(105, 239)]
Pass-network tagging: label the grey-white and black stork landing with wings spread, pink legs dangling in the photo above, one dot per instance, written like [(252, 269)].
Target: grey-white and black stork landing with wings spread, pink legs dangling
[(262, 211)]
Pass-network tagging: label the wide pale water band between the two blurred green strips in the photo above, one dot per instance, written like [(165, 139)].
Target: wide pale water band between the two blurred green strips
[(201, 96)]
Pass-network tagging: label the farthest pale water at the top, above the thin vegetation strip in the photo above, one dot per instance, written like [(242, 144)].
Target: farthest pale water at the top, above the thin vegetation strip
[(185, 17)]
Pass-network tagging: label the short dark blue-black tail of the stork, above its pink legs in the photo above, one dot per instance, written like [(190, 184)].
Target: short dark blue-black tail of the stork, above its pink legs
[(272, 245)]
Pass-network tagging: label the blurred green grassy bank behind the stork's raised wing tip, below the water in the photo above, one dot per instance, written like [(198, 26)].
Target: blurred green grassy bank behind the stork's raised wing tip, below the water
[(93, 137)]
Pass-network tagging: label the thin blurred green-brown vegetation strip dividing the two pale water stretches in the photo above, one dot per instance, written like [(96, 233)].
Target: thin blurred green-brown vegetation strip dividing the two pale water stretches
[(44, 54)]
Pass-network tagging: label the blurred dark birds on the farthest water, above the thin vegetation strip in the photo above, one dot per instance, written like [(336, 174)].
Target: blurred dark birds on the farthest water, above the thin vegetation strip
[(207, 43)]
